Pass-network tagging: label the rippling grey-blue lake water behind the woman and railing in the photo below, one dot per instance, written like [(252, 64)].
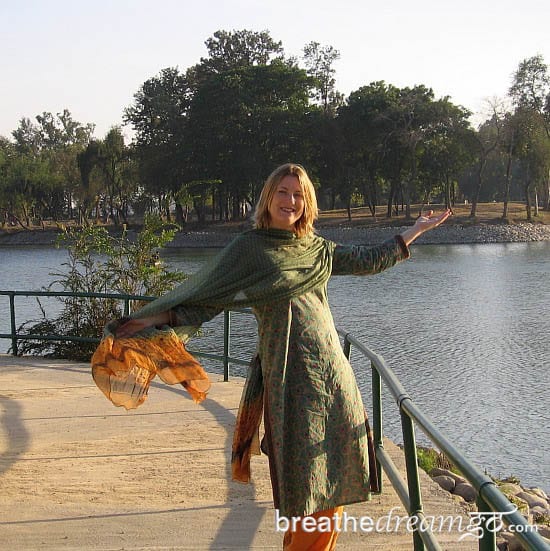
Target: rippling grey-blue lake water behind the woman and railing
[(466, 328)]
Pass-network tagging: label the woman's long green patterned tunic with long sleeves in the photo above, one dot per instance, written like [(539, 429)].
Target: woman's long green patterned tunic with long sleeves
[(313, 412)]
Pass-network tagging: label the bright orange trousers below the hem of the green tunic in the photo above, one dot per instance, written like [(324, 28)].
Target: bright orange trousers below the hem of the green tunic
[(322, 539)]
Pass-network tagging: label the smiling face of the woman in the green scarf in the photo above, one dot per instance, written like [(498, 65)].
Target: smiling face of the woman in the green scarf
[(287, 204)]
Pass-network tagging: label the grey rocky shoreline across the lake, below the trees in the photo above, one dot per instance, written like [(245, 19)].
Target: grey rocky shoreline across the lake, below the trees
[(217, 237)]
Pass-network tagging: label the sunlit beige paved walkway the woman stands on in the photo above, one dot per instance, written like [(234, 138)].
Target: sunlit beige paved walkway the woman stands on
[(78, 473)]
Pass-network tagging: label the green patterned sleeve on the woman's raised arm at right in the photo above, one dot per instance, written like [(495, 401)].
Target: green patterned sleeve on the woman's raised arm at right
[(367, 260)]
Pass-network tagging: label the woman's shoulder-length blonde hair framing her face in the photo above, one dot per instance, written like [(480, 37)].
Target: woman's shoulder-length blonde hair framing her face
[(304, 225)]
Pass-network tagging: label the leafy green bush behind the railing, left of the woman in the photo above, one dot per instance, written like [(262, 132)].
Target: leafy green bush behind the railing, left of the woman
[(100, 263)]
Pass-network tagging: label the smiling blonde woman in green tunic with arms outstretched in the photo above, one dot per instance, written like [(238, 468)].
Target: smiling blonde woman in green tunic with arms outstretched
[(315, 433)]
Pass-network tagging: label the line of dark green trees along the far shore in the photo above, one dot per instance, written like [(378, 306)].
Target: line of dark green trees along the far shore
[(206, 138)]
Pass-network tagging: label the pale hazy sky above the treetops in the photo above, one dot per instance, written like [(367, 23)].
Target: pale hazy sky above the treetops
[(92, 57)]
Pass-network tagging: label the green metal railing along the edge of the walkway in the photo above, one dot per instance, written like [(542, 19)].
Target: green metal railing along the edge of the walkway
[(491, 502)]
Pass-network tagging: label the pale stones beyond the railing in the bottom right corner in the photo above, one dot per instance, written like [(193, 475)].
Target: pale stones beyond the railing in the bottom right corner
[(532, 503)]
